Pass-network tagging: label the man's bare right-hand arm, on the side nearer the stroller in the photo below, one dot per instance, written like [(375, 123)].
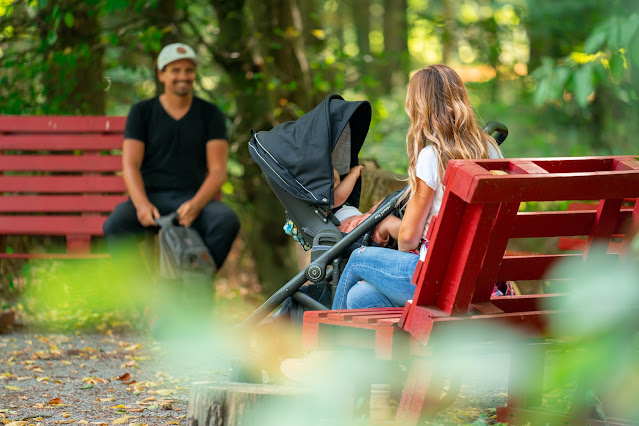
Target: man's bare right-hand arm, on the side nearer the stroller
[(216, 160)]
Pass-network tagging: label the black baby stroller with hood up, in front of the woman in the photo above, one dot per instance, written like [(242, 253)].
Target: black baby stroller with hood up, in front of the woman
[(297, 159)]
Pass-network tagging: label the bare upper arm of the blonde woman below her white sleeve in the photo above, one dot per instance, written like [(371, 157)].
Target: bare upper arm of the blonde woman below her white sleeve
[(414, 220)]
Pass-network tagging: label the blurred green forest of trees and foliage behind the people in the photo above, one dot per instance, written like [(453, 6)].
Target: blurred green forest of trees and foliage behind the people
[(562, 74)]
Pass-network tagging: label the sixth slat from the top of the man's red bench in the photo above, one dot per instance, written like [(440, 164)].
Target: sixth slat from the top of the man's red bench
[(52, 225)]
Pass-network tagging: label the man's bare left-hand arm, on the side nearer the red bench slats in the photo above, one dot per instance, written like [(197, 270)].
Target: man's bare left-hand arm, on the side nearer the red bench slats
[(132, 156)]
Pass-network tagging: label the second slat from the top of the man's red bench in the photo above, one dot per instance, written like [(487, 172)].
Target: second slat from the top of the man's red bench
[(62, 142)]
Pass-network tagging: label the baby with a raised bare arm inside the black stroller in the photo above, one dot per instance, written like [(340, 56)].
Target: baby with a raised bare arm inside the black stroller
[(350, 217)]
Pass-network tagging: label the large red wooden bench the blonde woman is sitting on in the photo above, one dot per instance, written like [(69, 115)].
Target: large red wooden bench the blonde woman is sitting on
[(467, 254)]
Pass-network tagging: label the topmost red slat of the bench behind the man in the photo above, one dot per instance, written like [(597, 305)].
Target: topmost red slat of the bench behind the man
[(61, 124)]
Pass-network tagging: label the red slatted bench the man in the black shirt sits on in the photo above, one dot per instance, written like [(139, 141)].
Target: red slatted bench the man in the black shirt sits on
[(59, 176)]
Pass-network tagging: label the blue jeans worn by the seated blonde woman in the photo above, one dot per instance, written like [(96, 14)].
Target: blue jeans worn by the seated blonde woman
[(376, 277)]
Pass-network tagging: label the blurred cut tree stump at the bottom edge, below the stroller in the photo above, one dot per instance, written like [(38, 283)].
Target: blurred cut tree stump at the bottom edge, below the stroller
[(230, 404)]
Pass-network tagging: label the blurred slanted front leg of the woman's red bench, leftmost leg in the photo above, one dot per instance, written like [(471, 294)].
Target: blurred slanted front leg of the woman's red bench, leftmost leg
[(421, 394)]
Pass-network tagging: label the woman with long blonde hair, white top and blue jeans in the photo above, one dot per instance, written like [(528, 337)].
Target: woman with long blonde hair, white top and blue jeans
[(443, 127)]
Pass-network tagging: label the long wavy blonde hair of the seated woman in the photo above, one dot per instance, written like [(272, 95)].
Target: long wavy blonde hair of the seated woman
[(441, 115)]
